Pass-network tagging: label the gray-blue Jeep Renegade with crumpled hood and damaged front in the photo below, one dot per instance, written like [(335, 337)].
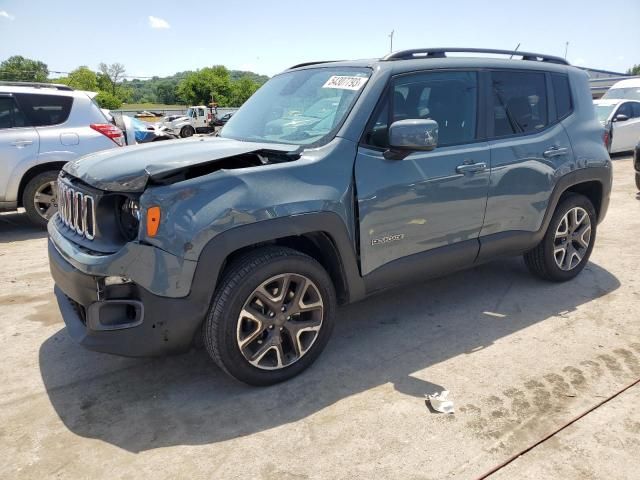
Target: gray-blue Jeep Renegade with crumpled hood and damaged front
[(335, 180)]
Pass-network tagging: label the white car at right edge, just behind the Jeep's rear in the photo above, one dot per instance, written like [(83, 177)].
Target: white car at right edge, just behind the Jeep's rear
[(621, 120)]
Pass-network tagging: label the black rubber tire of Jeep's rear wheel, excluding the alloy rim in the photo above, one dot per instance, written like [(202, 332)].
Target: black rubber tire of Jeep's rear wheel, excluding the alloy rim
[(541, 260)]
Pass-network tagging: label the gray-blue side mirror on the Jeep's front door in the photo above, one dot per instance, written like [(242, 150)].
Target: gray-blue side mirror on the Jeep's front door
[(411, 135)]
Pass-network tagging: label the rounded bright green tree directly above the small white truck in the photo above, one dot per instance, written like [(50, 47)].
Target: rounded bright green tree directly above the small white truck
[(206, 85)]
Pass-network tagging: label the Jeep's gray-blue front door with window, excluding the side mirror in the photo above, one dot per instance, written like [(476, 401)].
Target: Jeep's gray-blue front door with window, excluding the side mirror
[(429, 205)]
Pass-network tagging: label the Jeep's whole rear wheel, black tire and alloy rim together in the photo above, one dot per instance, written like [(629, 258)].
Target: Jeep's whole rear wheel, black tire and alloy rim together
[(566, 247)]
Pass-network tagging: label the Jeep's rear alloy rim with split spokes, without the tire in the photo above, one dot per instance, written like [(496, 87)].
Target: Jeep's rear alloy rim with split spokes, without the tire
[(572, 238)]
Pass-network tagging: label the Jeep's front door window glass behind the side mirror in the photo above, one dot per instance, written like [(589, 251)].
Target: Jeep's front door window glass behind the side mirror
[(449, 98)]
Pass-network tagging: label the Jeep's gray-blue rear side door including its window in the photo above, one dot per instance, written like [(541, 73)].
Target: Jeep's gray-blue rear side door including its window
[(529, 146)]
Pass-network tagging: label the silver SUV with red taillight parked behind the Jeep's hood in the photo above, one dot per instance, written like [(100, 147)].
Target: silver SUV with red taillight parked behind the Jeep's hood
[(42, 127)]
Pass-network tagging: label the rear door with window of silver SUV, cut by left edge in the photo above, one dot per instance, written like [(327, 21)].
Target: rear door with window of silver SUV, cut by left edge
[(18, 147)]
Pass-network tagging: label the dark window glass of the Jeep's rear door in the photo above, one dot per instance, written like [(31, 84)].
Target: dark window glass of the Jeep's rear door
[(519, 102)]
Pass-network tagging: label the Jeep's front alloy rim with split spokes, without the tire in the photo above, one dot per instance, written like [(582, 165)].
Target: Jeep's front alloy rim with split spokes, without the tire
[(280, 321)]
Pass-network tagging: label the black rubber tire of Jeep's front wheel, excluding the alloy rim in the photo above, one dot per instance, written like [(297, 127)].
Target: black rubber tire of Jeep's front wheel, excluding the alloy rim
[(238, 283)]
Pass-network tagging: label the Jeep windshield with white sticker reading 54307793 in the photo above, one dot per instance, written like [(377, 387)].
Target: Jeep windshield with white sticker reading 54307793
[(302, 108)]
